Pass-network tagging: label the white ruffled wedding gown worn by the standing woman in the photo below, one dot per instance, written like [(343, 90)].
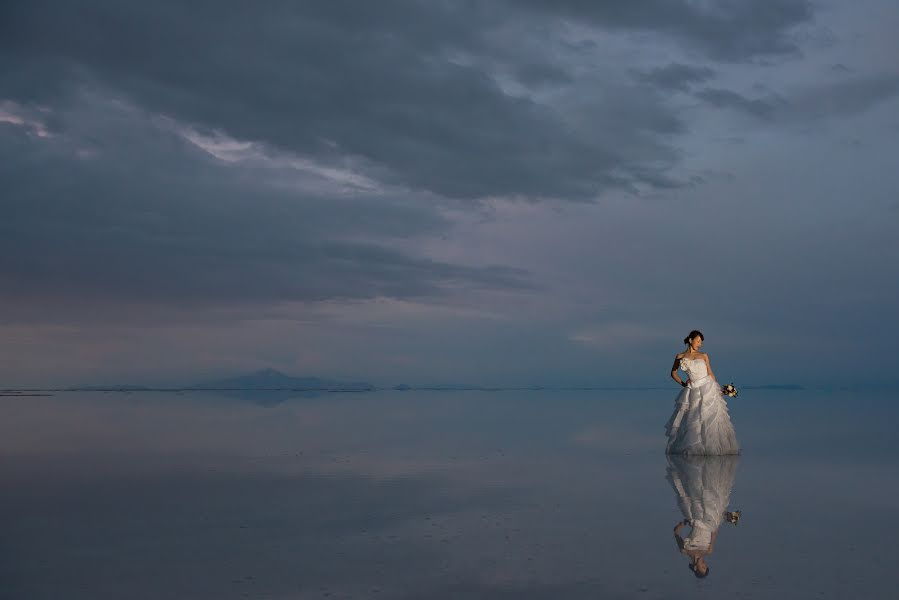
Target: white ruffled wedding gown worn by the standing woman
[(700, 423)]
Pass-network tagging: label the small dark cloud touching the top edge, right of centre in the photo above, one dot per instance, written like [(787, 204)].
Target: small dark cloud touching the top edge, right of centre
[(731, 30)]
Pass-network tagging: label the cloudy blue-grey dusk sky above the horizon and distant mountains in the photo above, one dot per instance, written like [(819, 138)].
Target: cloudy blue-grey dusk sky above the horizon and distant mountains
[(526, 192)]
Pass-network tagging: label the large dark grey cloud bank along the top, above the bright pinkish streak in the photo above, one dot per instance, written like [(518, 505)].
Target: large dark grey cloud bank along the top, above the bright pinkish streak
[(405, 87)]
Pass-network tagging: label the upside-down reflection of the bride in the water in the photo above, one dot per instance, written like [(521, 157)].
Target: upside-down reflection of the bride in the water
[(703, 485)]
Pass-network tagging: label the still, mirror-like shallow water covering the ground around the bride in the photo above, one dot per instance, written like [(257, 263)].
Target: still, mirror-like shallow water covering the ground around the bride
[(508, 494)]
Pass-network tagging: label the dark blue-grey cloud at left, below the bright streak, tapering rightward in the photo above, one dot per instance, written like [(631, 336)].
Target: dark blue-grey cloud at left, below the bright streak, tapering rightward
[(113, 205)]
